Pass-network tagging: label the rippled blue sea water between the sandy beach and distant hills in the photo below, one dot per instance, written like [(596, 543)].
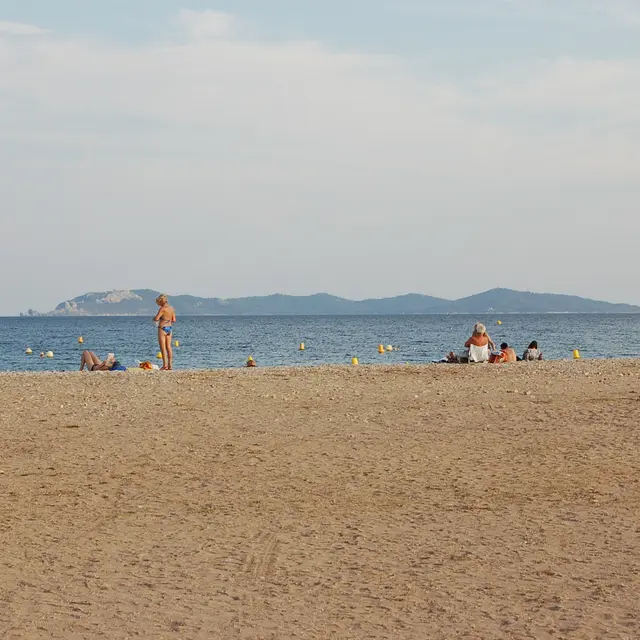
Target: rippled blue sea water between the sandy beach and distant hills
[(221, 341)]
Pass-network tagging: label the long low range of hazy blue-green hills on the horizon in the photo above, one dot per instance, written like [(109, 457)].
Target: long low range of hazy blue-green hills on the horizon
[(141, 302)]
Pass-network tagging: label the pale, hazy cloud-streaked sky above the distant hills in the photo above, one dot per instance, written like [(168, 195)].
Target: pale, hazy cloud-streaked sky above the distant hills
[(365, 149)]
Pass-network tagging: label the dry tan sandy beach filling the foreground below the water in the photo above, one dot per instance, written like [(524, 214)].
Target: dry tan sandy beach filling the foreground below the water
[(404, 502)]
